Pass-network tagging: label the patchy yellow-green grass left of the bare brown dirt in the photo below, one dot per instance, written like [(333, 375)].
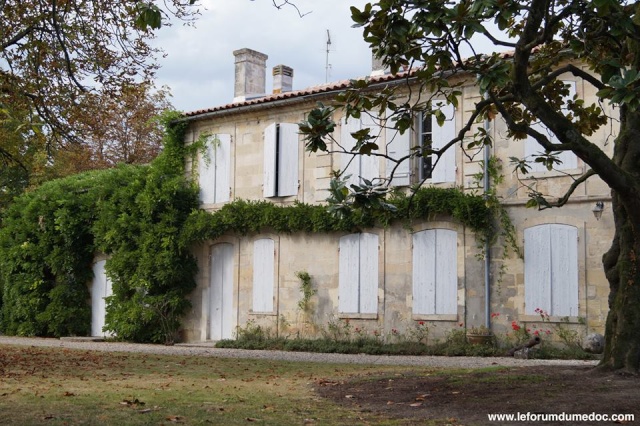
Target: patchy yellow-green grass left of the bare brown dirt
[(74, 387)]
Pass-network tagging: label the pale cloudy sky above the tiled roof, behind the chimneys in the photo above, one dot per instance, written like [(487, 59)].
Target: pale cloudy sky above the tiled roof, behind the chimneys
[(199, 62)]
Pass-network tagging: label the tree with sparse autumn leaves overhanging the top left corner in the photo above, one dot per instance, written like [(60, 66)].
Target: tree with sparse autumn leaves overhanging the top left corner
[(55, 55)]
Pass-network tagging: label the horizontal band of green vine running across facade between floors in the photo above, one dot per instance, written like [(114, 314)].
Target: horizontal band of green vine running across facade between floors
[(245, 217)]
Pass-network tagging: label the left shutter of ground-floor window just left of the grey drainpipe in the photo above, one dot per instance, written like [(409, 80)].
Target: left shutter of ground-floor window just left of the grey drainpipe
[(424, 272)]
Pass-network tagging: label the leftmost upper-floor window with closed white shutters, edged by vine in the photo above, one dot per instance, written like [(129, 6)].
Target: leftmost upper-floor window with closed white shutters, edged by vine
[(214, 170)]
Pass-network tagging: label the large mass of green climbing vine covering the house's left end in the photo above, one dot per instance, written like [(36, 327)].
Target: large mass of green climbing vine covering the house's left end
[(134, 215)]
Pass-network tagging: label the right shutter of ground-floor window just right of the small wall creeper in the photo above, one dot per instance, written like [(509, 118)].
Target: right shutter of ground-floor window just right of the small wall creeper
[(368, 273)]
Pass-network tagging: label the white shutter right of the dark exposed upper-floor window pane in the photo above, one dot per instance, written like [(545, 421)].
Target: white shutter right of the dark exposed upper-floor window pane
[(445, 169)]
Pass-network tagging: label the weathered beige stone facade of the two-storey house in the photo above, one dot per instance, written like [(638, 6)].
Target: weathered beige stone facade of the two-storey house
[(319, 255)]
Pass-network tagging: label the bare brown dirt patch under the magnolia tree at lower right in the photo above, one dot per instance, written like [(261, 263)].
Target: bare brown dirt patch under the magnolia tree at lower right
[(466, 398)]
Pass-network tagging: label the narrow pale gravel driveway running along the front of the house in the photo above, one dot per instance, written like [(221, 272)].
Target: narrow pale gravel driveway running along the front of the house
[(207, 349)]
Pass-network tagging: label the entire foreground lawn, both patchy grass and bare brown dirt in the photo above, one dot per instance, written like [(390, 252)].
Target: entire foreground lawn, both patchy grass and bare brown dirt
[(59, 386)]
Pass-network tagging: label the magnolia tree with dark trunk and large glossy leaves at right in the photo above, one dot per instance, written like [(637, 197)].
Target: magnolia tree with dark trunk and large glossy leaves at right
[(437, 39)]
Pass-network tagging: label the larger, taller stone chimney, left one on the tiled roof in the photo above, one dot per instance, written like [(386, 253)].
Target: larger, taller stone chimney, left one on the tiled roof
[(251, 73)]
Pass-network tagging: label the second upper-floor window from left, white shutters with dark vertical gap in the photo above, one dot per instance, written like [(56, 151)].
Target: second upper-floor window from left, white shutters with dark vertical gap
[(281, 160)]
